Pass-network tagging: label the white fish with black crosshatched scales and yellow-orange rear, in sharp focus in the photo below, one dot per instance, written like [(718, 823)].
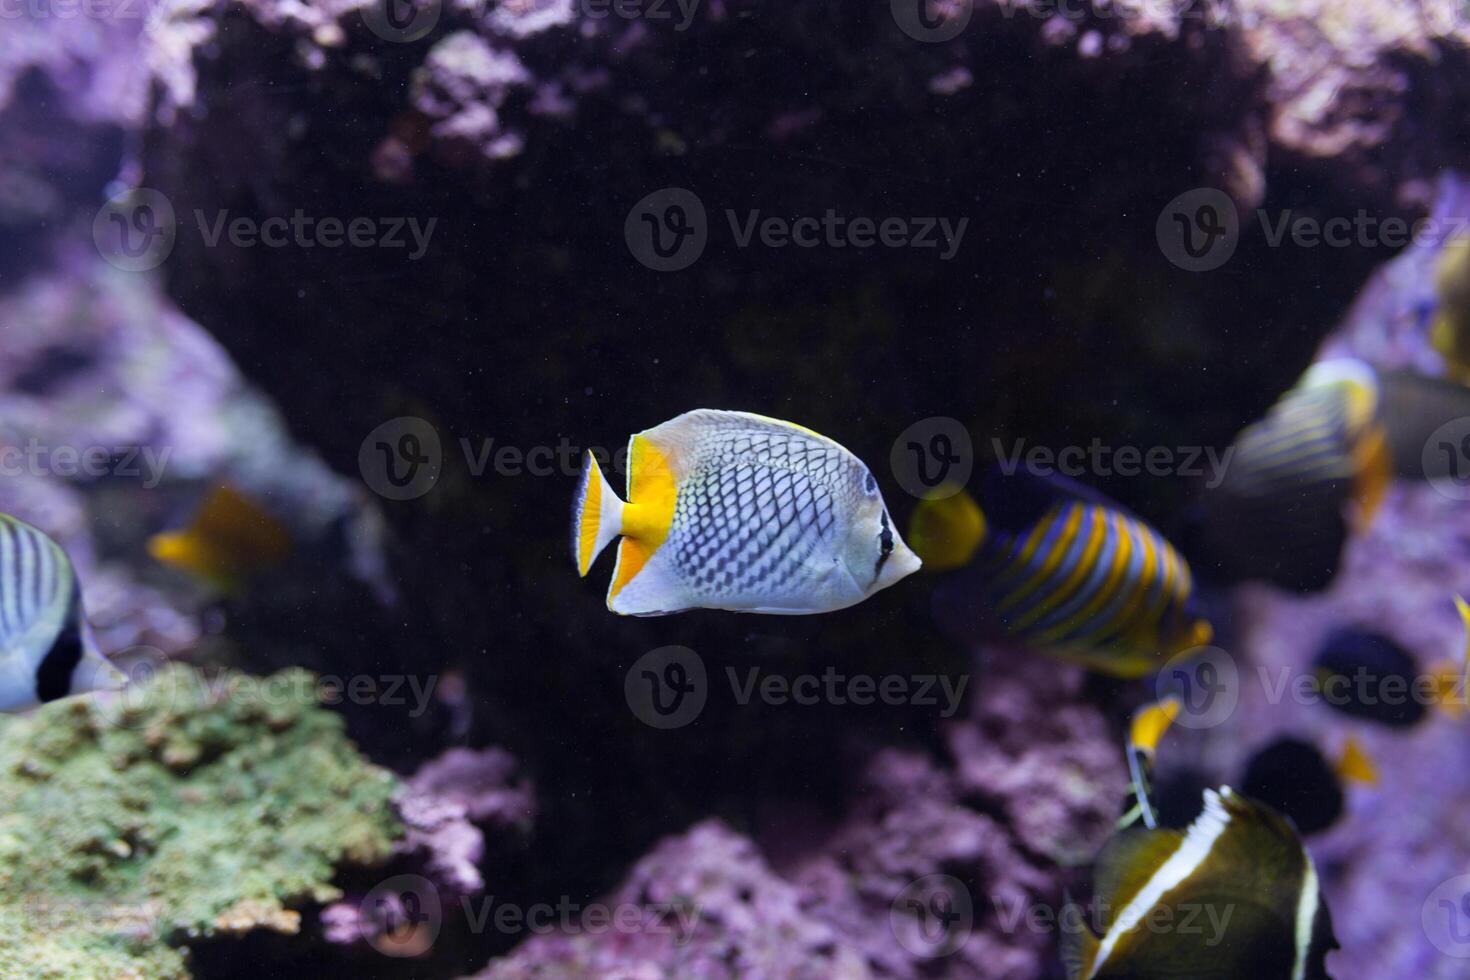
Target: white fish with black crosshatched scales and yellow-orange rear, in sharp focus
[(739, 512)]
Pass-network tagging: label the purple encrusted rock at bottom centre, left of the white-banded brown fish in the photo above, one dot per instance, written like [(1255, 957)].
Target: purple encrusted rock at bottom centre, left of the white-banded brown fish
[(805, 901)]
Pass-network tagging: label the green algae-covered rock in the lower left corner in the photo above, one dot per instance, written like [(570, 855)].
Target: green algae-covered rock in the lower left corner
[(182, 809)]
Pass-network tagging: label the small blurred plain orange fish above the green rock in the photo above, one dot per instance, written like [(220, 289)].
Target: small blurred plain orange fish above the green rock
[(229, 540)]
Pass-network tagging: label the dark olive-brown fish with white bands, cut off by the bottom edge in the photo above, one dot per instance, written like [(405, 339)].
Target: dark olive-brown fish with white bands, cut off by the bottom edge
[(1238, 876)]
